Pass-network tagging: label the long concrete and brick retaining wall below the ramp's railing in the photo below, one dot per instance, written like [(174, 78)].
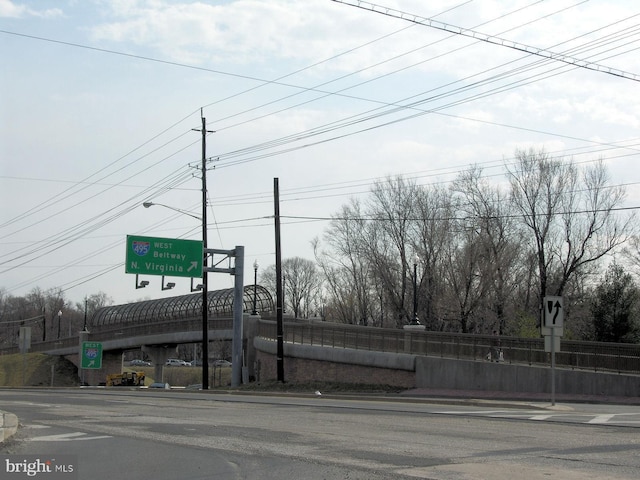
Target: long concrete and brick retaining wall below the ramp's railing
[(305, 363)]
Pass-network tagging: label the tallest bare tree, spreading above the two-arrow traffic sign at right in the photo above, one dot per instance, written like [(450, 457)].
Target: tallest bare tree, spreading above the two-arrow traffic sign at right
[(569, 214)]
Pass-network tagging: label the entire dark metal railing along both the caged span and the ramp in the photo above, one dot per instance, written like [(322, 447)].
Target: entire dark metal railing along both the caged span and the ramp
[(596, 356)]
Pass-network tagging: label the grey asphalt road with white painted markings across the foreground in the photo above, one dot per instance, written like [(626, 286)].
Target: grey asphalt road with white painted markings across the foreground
[(169, 435)]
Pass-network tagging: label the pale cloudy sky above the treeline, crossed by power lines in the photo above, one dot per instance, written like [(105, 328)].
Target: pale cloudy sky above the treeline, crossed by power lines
[(101, 100)]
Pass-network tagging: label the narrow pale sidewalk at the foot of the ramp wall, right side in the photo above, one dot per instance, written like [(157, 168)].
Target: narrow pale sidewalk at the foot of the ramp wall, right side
[(518, 396)]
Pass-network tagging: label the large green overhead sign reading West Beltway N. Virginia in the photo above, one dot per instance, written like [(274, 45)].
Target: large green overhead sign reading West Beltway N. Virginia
[(164, 256)]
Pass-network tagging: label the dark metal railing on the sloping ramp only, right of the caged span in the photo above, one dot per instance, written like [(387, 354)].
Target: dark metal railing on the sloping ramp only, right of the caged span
[(616, 357)]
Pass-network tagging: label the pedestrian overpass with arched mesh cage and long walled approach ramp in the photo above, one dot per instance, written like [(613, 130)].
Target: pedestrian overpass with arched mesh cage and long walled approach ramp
[(324, 351)]
